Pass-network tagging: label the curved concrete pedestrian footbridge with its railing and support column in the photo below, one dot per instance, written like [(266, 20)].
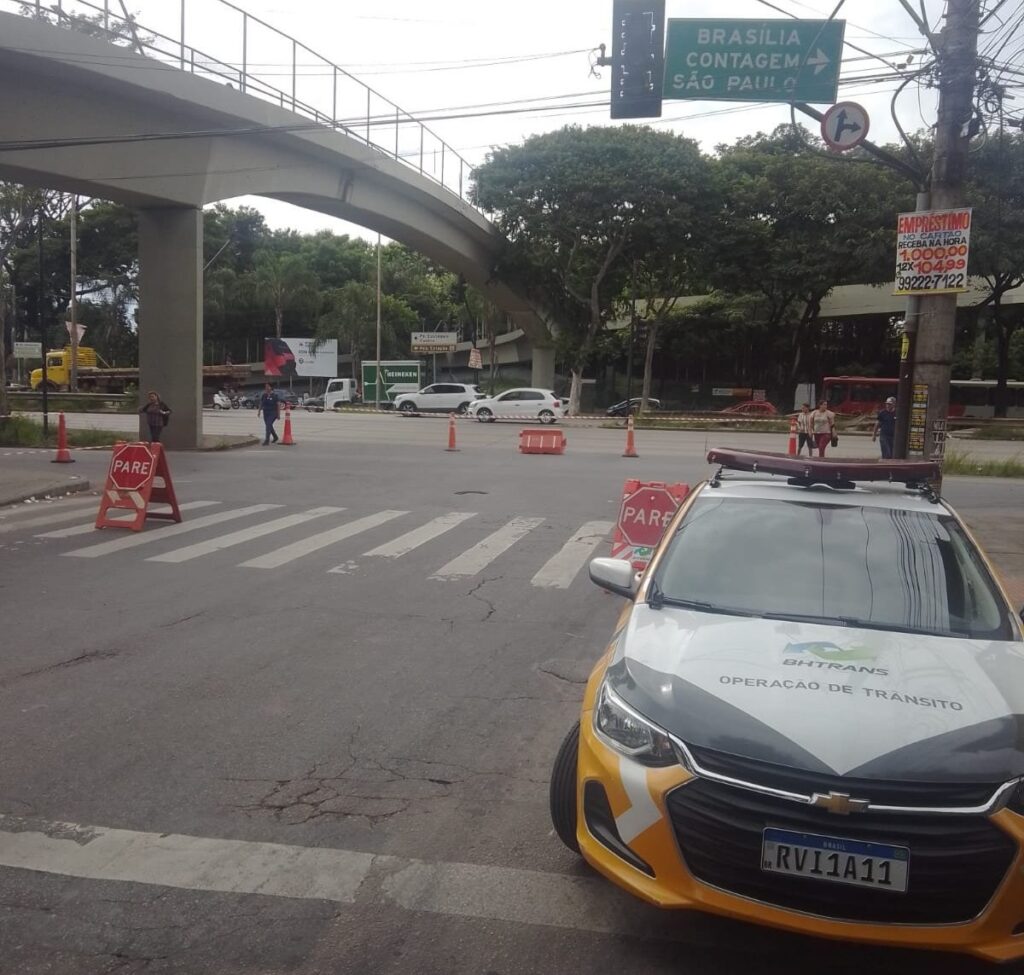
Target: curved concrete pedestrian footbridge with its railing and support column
[(143, 118)]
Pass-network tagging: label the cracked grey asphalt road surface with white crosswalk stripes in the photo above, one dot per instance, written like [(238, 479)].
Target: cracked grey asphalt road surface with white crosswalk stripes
[(311, 729)]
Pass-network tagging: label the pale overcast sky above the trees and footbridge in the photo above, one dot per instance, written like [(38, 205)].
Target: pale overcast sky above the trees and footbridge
[(472, 57)]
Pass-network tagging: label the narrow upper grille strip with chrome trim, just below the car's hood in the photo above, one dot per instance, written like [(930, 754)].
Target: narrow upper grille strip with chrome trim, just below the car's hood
[(880, 792)]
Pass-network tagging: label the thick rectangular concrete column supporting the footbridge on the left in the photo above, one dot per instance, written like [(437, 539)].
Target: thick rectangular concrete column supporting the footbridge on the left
[(170, 318)]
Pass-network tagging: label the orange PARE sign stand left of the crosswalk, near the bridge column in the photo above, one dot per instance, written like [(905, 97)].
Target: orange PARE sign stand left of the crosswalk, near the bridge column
[(139, 477)]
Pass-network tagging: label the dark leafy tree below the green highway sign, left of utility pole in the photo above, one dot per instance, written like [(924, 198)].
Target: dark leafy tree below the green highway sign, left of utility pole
[(797, 224)]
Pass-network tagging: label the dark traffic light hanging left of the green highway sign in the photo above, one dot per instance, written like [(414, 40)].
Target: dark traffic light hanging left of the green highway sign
[(637, 59)]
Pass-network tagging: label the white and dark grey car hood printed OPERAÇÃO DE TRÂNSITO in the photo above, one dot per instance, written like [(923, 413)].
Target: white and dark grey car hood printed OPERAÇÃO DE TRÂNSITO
[(831, 700)]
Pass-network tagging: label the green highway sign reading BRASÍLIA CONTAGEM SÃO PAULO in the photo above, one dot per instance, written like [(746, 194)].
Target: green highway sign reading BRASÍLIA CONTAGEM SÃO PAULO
[(754, 61)]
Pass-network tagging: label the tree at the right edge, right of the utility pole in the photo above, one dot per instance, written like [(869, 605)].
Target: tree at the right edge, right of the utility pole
[(997, 193)]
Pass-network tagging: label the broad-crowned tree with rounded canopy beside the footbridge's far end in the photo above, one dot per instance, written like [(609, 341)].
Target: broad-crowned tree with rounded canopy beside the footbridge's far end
[(573, 205)]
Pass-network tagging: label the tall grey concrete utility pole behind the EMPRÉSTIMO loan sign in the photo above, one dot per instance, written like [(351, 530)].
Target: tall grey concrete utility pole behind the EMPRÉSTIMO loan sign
[(958, 70)]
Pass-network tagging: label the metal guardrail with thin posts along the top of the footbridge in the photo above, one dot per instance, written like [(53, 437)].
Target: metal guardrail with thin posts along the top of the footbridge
[(250, 54)]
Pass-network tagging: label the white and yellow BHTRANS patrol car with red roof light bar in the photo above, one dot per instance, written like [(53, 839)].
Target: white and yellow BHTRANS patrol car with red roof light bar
[(810, 715)]
